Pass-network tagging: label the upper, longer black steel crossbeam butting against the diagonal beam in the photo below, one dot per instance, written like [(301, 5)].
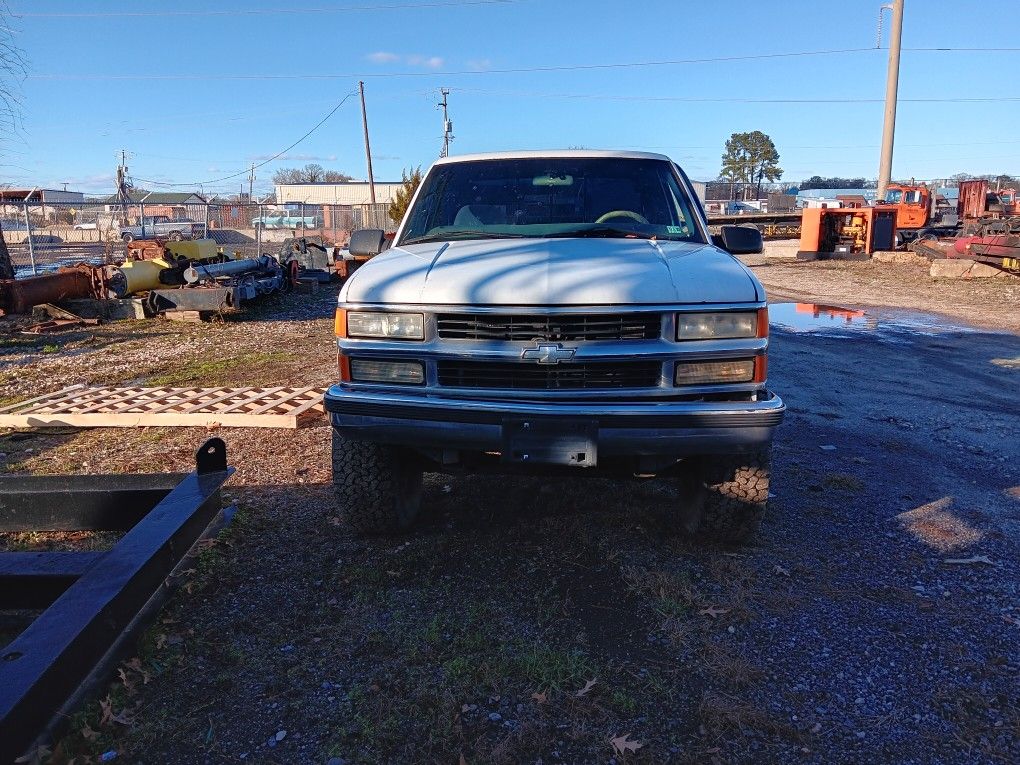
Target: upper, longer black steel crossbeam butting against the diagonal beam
[(73, 503)]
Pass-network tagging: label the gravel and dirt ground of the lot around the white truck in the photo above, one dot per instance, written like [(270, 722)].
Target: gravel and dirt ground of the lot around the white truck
[(534, 621)]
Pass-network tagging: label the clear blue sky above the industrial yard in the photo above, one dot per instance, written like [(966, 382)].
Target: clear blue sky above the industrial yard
[(198, 125)]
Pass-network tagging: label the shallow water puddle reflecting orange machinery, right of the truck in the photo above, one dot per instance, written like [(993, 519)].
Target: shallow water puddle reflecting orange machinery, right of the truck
[(832, 320)]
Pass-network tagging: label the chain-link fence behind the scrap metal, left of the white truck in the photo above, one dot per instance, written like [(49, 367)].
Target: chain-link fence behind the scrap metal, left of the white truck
[(43, 237)]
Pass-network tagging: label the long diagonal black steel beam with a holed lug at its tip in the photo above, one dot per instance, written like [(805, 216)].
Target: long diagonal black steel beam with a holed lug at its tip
[(44, 666)]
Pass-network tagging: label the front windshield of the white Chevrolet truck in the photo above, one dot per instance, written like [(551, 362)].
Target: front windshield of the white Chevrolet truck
[(552, 197)]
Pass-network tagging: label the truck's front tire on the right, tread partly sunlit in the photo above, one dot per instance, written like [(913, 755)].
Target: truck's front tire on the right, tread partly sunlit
[(736, 493)]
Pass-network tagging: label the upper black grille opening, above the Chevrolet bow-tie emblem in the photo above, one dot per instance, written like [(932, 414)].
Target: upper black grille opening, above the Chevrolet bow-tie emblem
[(525, 327)]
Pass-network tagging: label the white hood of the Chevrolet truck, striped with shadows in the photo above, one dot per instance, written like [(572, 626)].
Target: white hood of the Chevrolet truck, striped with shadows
[(553, 272)]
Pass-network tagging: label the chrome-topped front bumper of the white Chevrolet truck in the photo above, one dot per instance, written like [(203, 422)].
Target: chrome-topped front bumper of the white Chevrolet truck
[(675, 429)]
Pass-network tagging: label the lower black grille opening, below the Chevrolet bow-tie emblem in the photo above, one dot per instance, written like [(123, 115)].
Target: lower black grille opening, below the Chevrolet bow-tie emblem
[(512, 376)]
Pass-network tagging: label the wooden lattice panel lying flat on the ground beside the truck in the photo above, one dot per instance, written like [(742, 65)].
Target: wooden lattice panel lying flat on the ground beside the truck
[(138, 407)]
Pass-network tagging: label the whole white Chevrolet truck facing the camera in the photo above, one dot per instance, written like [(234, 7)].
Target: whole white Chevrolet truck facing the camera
[(555, 312)]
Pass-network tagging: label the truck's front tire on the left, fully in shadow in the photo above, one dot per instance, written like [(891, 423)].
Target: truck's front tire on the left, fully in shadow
[(378, 487)]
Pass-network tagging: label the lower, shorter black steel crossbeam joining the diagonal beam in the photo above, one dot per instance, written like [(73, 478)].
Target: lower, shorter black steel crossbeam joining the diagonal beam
[(36, 580)]
